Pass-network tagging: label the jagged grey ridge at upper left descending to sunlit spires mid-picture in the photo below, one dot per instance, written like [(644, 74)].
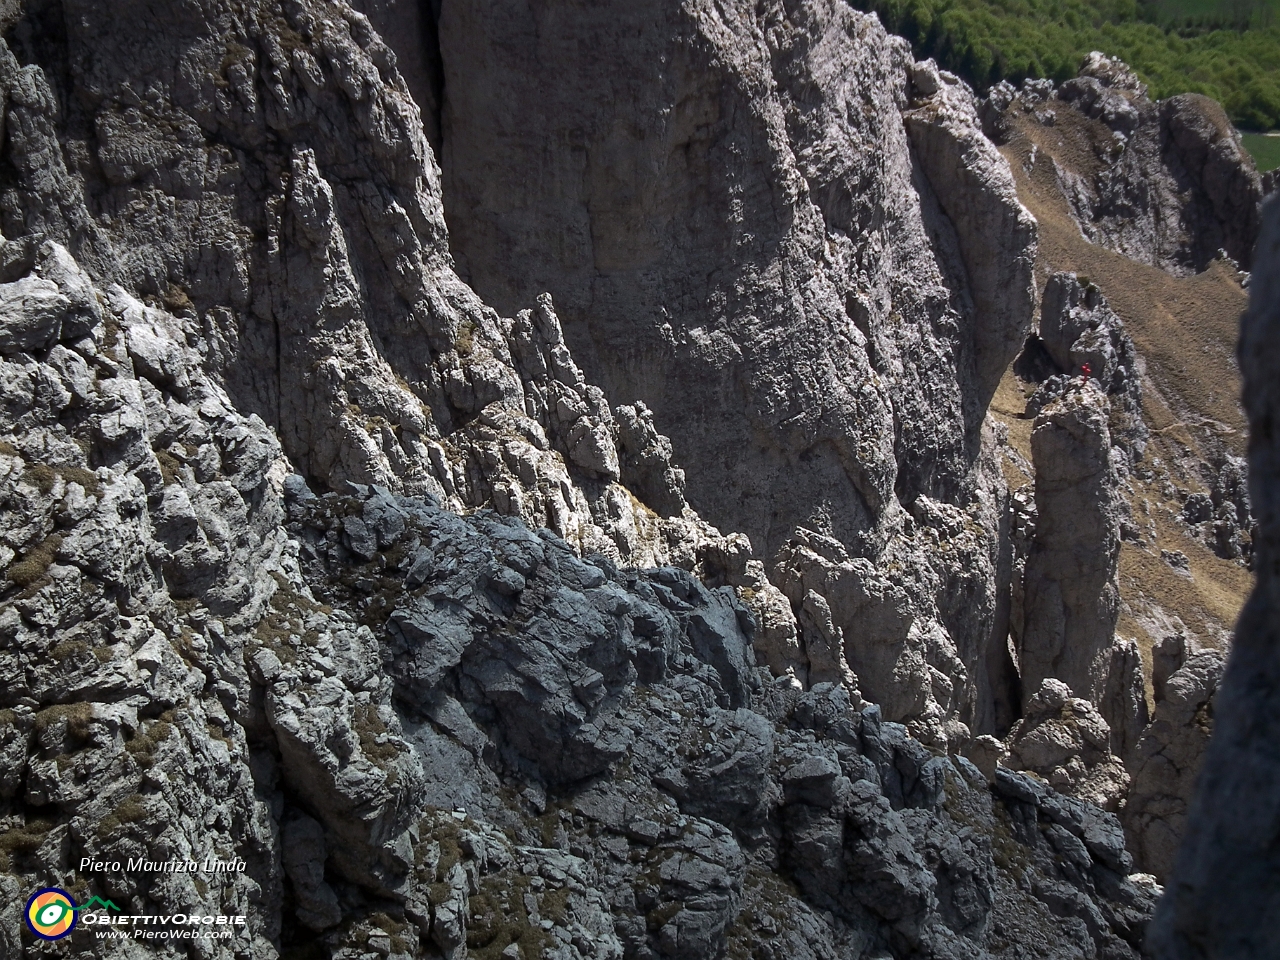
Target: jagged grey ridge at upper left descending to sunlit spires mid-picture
[(294, 223)]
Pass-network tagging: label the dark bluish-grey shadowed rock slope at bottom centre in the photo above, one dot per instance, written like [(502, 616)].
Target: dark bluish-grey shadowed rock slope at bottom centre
[(652, 670)]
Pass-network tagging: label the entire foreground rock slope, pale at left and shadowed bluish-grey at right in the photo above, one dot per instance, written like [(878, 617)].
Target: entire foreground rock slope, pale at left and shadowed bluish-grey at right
[(427, 735)]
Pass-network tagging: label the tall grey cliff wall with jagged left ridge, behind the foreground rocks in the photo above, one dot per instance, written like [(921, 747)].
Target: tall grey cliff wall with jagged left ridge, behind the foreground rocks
[(295, 226)]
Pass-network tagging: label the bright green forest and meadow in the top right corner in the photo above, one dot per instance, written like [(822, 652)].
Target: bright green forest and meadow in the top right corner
[(1226, 49)]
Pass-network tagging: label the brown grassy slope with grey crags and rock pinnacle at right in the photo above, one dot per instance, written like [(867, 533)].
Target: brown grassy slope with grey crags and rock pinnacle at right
[(1159, 341)]
